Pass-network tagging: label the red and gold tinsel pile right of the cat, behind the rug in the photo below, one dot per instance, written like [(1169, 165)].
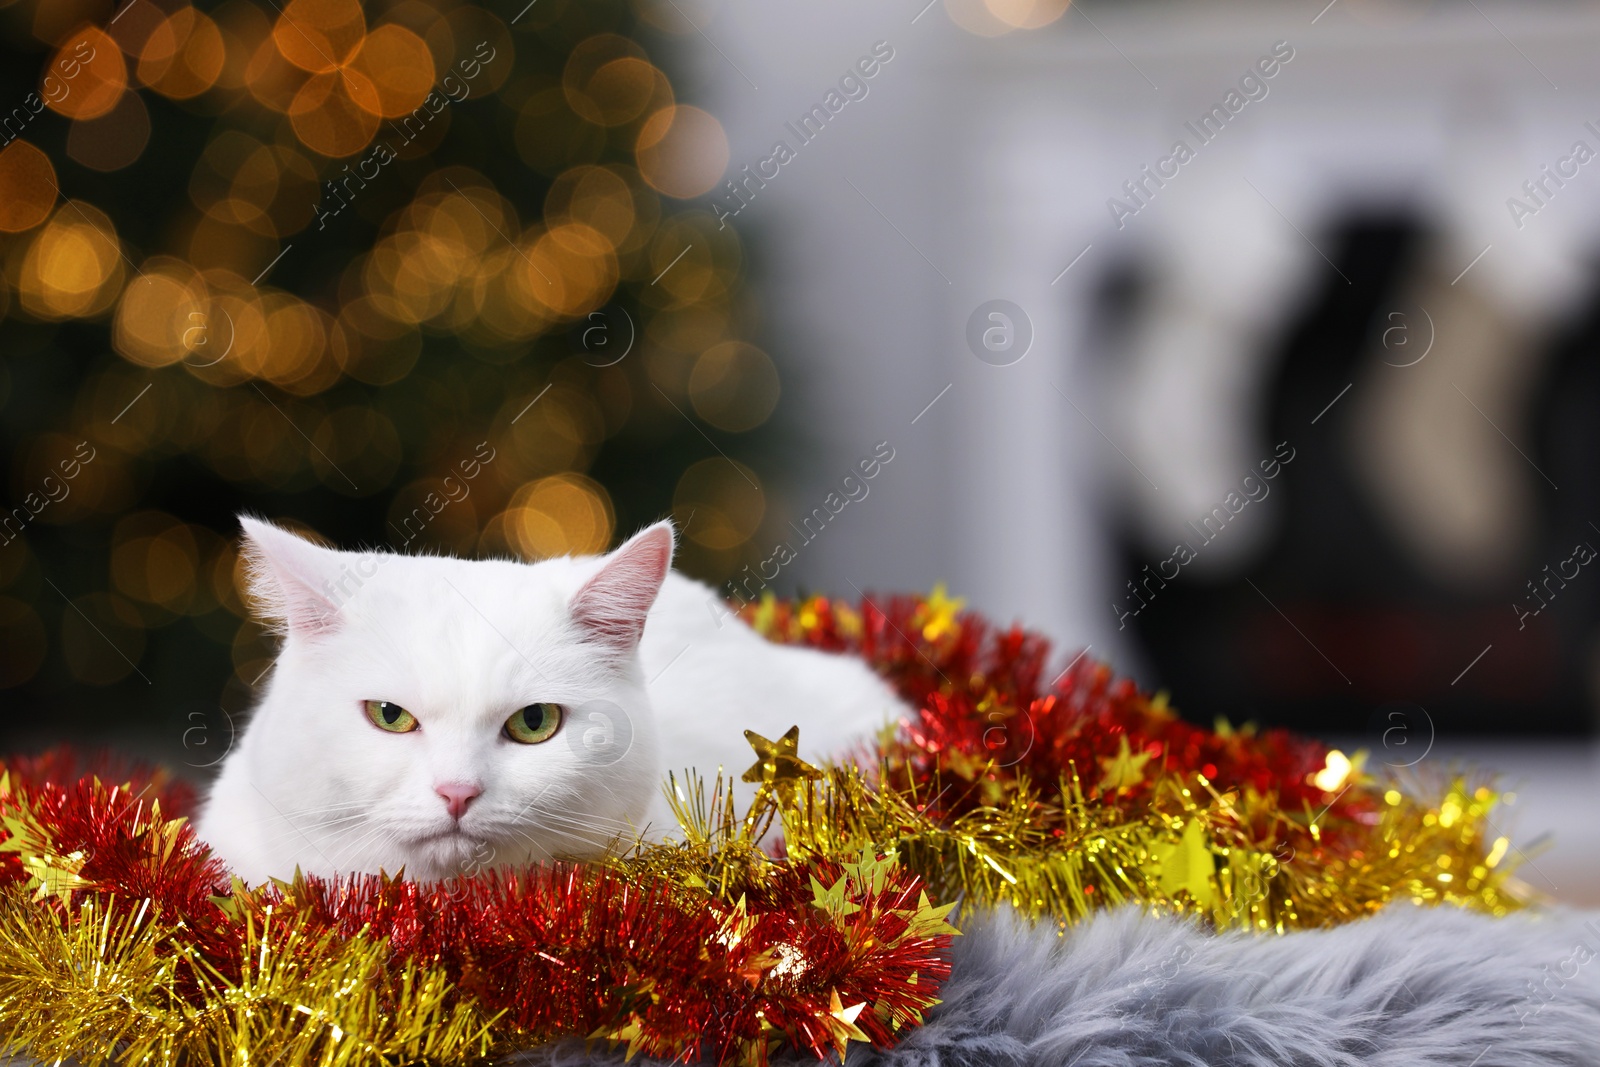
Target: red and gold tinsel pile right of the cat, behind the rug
[(1081, 793)]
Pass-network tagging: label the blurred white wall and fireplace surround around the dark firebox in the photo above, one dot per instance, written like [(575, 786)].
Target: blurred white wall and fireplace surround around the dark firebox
[(991, 169)]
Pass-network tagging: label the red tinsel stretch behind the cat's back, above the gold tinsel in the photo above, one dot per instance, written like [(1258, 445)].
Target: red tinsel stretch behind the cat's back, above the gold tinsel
[(988, 693)]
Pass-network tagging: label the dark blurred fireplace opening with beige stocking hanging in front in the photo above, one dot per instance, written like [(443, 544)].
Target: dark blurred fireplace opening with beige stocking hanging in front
[(1390, 581)]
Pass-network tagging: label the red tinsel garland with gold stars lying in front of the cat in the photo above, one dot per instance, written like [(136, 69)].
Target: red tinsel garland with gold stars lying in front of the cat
[(559, 951)]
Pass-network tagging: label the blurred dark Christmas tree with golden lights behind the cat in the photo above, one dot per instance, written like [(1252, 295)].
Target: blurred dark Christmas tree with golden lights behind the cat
[(415, 276)]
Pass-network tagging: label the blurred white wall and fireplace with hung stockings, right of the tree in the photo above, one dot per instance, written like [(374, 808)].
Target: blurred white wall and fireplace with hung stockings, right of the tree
[(1342, 281)]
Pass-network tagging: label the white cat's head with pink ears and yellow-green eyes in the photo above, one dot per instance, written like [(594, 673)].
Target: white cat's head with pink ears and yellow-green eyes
[(447, 716)]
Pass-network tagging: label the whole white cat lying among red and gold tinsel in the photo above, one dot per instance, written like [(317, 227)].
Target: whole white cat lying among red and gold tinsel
[(444, 716)]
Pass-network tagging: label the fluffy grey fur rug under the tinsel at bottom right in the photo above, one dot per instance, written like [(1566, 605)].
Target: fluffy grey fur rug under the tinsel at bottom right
[(1409, 988)]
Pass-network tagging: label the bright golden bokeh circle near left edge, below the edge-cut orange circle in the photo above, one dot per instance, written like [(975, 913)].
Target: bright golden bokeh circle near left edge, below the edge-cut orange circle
[(74, 268)]
